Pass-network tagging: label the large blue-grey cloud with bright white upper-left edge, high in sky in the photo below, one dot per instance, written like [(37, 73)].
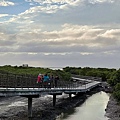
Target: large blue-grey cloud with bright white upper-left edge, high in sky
[(80, 12)]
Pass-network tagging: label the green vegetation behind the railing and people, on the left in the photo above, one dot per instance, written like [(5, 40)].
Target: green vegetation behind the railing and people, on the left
[(34, 71)]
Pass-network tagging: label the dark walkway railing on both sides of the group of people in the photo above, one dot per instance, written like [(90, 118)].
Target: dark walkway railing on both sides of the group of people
[(9, 80)]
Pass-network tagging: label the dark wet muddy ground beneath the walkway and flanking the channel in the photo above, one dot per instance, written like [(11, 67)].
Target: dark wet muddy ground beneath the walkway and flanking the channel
[(17, 108)]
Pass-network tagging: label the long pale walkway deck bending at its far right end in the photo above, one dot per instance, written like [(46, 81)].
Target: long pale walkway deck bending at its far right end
[(45, 91)]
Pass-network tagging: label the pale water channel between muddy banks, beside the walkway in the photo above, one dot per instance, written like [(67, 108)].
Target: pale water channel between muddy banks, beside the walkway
[(92, 109)]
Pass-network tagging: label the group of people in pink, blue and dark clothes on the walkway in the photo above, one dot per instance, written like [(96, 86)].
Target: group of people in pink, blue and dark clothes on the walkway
[(47, 81)]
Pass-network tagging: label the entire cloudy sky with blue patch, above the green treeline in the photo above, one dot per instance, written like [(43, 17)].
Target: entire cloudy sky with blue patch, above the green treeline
[(60, 33)]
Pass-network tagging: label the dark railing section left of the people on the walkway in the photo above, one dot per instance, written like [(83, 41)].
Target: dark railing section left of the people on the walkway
[(14, 80)]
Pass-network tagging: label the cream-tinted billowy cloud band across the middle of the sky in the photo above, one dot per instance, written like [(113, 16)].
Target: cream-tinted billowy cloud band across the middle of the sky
[(70, 39)]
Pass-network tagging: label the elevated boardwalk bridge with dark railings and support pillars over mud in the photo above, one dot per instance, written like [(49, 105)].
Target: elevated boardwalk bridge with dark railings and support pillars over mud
[(26, 86)]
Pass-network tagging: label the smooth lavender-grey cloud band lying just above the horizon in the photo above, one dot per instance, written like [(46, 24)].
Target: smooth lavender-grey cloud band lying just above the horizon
[(57, 60)]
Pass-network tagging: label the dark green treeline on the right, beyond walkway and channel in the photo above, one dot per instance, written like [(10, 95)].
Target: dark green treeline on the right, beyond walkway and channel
[(112, 76)]
